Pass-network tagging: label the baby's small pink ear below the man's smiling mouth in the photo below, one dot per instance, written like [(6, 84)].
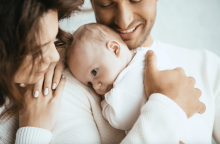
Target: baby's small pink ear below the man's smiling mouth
[(114, 47)]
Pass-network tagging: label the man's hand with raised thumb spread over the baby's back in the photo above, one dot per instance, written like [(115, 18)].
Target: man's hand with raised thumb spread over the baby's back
[(173, 84)]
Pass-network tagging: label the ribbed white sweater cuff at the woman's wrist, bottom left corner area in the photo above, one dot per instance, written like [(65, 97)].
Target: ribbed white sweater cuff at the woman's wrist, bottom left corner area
[(33, 135)]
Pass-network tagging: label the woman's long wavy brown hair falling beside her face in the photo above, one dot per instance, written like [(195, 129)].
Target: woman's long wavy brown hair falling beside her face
[(19, 28)]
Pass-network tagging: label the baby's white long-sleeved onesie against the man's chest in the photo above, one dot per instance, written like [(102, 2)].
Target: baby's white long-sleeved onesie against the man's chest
[(122, 105)]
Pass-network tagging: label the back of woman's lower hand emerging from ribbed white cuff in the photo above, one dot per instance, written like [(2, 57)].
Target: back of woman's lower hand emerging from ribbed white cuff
[(42, 112)]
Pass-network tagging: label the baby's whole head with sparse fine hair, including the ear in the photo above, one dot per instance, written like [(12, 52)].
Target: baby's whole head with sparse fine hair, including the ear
[(97, 56)]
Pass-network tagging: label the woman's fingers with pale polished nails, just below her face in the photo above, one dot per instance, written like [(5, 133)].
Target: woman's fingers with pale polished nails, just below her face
[(52, 77)]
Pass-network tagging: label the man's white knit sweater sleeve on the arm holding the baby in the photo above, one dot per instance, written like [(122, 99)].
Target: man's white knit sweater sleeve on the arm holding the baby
[(160, 121)]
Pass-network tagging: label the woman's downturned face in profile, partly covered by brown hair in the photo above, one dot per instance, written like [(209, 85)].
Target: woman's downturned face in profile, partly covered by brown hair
[(49, 30)]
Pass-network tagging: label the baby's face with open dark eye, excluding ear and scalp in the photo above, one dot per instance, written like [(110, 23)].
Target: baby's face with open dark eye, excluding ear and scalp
[(95, 67)]
